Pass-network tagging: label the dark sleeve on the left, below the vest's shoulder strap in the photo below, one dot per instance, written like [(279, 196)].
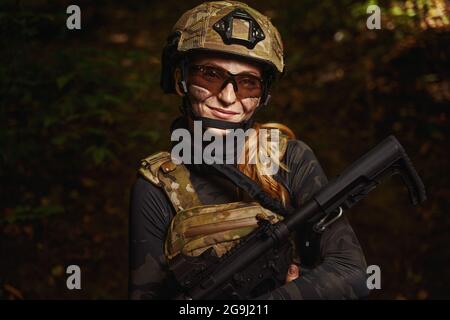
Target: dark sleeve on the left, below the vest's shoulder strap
[(150, 216)]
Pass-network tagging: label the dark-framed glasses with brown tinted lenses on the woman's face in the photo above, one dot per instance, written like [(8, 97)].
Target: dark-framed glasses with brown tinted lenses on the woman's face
[(215, 79)]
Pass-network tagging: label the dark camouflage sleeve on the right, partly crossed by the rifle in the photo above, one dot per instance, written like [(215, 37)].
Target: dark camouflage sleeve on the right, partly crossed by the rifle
[(341, 273)]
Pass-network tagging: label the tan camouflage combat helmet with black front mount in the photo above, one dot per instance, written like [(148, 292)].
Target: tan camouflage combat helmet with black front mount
[(229, 27)]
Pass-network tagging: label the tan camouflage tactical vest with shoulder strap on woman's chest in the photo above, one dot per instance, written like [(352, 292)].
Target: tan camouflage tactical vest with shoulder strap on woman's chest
[(196, 227)]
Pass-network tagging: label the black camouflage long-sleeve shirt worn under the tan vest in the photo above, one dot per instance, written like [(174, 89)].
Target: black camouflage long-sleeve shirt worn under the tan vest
[(341, 273)]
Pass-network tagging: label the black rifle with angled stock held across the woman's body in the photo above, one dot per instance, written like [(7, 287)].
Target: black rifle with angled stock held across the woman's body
[(259, 262)]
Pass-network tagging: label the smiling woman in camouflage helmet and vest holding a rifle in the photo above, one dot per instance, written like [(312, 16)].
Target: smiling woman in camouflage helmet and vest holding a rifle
[(221, 59)]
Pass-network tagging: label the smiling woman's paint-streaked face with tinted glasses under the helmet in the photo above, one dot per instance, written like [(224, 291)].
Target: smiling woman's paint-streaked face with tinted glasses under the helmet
[(225, 103)]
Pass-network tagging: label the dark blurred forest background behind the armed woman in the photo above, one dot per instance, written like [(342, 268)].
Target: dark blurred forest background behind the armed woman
[(79, 109)]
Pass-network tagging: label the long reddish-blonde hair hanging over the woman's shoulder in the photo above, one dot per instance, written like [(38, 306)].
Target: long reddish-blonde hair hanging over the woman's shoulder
[(257, 170)]
